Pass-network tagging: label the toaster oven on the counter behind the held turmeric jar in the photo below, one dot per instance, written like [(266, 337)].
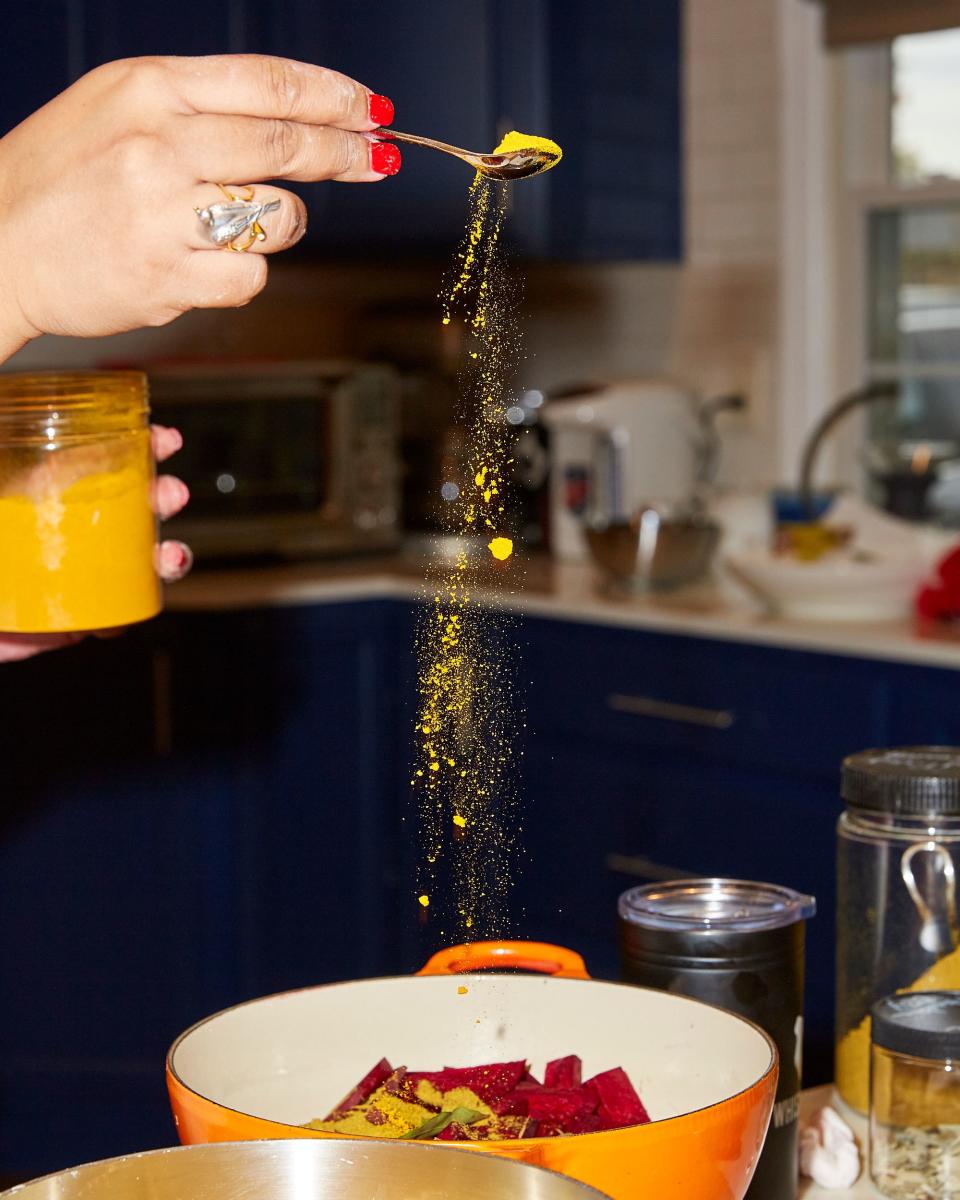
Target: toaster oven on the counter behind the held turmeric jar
[(284, 459)]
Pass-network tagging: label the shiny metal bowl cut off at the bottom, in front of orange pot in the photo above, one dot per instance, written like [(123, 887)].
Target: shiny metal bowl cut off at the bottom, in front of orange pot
[(307, 1171)]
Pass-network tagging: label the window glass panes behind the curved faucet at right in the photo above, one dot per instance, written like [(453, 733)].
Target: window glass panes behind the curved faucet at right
[(902, 172)]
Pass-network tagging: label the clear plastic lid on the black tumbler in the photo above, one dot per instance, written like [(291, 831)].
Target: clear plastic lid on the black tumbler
[(715, 904)]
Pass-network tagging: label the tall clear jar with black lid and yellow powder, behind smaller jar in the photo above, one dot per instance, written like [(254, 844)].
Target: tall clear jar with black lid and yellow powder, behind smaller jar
[(898, 856)]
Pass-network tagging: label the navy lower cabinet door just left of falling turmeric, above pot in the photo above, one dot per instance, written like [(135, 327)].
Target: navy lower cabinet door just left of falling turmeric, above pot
[(316, 821)]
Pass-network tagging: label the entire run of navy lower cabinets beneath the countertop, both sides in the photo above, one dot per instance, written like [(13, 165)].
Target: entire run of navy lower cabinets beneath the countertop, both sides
[(217, 806)]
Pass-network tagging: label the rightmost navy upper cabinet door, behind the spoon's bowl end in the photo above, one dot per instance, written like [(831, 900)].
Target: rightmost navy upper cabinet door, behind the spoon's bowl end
[(603, 81)]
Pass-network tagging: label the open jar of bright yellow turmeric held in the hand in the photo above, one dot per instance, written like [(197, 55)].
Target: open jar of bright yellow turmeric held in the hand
[(77, 530)]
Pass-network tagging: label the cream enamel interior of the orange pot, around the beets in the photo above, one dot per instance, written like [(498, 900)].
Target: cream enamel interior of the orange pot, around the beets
[(293, 1057)]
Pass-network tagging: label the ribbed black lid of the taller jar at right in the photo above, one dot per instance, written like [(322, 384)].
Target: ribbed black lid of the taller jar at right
[(910, 781)]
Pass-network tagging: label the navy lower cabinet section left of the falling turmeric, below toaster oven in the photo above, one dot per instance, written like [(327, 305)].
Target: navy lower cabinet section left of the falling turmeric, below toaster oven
[(195, 814)]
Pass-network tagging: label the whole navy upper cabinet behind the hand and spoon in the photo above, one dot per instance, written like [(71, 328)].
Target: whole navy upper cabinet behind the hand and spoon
[(604, 81)]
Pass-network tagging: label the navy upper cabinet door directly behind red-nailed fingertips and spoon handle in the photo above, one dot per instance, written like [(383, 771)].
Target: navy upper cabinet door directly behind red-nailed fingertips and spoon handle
[(433, 59)]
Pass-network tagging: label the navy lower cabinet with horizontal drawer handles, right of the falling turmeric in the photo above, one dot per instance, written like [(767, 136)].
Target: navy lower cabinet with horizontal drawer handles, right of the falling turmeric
[(653, 757)]
